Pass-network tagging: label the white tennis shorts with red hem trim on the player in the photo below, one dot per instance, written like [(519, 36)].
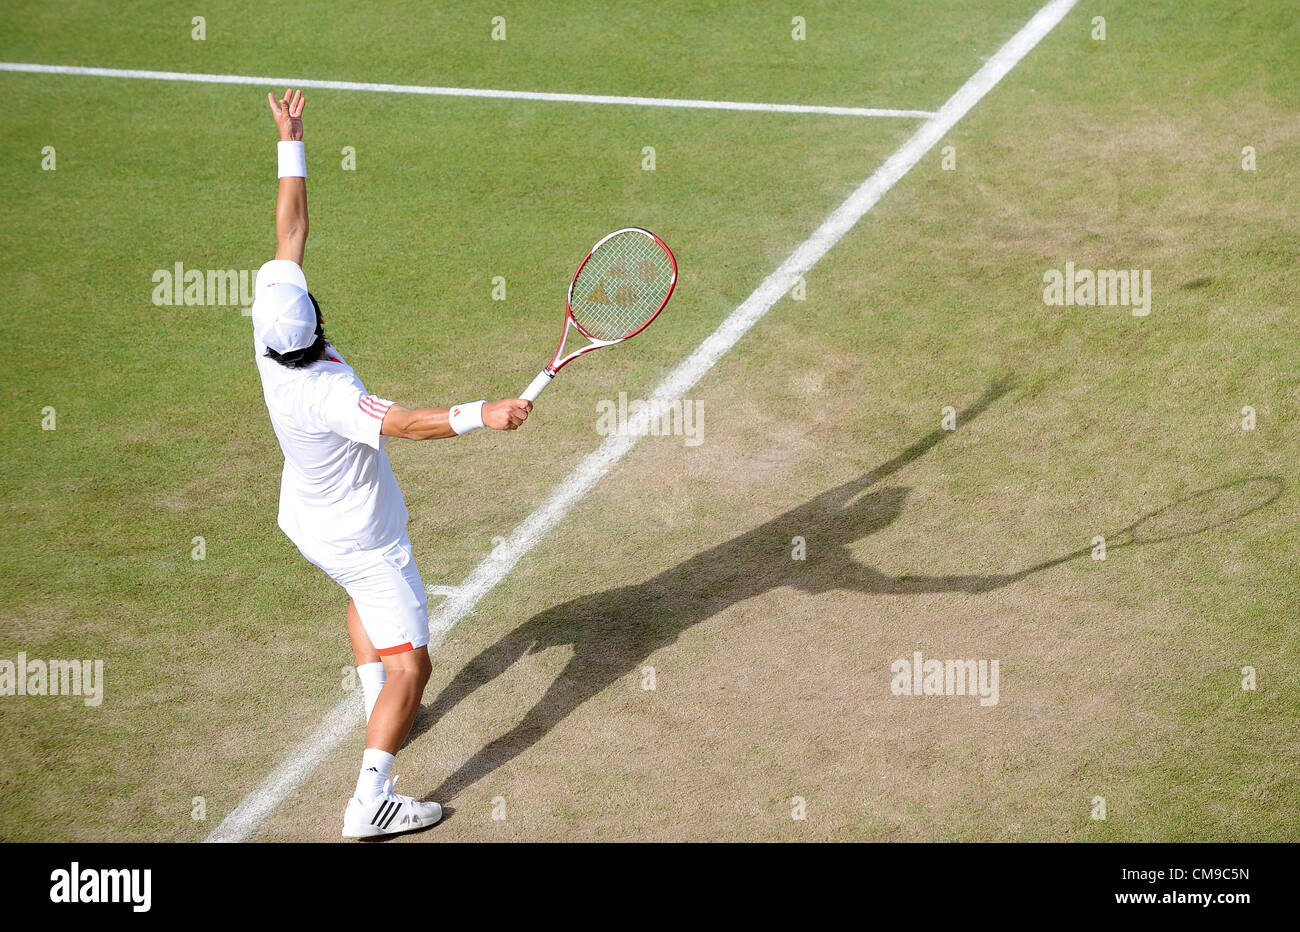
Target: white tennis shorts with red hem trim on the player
[(388, 592)]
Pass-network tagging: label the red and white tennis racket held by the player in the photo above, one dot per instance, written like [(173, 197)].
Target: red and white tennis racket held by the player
[(618, 291)]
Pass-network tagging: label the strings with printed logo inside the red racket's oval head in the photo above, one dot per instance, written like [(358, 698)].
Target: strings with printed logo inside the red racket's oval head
[(622, 287)]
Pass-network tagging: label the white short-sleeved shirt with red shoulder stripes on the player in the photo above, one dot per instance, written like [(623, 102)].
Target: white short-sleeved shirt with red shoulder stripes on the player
[(337, 492)]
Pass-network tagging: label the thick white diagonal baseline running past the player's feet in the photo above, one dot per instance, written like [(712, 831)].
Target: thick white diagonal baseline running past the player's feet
[(285, 779)]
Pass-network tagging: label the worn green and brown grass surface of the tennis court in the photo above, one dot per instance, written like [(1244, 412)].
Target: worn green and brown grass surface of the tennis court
[(1123, 678)]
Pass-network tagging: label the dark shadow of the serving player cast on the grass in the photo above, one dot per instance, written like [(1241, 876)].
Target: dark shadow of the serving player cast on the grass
[(614, 632)]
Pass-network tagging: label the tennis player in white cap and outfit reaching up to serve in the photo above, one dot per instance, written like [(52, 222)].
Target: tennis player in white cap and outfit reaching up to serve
[(340, 502)]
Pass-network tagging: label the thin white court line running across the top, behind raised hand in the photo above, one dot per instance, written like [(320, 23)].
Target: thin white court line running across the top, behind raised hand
[(460, 92)]
